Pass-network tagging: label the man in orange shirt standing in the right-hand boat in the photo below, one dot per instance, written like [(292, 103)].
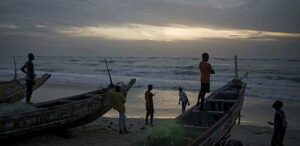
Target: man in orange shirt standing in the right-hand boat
[(205, 70)]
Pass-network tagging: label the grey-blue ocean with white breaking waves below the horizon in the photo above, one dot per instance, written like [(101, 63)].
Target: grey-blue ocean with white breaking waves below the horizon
[(267, 78)]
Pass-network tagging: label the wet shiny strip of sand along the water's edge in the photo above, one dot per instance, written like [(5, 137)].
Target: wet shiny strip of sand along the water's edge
[(255, 111)]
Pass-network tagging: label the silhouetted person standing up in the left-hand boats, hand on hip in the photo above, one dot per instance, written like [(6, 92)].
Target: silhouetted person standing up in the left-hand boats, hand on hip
[(30, 75)]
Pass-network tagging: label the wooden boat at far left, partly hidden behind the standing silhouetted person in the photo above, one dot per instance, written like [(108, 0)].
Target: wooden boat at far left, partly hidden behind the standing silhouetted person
[(15, 90)]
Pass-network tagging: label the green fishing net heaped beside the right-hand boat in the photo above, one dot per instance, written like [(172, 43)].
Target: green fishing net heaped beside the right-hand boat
[(165, 134)]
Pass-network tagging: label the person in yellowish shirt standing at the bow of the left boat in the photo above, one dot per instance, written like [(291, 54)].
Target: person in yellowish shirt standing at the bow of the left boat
[(118, 103)]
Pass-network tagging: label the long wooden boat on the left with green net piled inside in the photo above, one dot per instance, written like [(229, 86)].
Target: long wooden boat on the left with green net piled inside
[(60, 114)]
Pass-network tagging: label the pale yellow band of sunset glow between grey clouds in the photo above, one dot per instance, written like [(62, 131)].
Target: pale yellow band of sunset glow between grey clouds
[(172, 33)]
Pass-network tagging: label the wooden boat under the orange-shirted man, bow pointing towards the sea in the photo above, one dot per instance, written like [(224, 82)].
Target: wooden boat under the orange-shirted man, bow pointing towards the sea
[(213, 125)]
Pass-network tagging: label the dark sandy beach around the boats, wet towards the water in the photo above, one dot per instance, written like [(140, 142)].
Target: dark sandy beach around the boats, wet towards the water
[(253, 130)]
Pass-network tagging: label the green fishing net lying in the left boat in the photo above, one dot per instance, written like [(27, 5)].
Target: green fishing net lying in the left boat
[(8, 109)]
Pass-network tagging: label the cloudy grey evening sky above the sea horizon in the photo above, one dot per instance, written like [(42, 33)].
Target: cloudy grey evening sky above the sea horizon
[(164, 28)]
